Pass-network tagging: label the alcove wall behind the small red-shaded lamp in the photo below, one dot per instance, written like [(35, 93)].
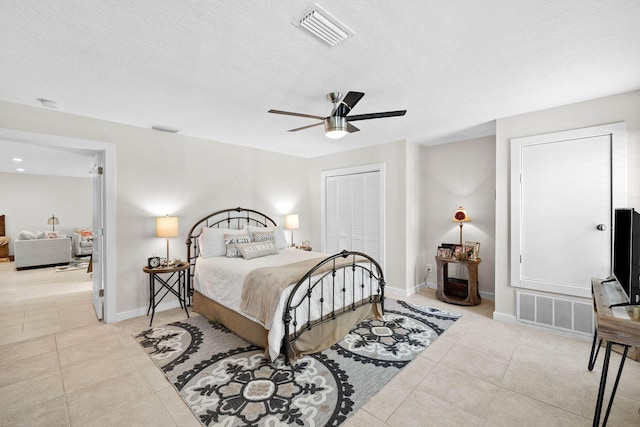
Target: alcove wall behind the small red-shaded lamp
[(458, 174)]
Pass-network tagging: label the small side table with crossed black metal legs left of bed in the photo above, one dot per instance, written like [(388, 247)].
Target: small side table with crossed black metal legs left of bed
[(172, 279)]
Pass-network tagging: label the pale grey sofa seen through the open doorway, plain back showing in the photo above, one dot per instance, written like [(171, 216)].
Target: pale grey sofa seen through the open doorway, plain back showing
[(46, 252)]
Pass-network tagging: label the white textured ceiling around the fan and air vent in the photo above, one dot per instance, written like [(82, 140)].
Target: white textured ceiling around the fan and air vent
[(212, 68)]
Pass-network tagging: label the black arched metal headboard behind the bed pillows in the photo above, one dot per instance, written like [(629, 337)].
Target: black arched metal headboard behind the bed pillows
[(235, 218)]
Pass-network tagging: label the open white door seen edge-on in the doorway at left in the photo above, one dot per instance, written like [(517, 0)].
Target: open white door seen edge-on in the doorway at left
[(97, 256)]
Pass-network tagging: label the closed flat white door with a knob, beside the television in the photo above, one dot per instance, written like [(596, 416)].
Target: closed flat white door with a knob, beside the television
[(562, 203)]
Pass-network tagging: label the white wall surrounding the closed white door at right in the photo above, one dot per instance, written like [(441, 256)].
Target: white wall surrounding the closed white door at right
[(618, 108)]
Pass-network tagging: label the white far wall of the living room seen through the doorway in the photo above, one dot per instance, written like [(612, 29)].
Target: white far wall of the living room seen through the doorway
[(27, 201)]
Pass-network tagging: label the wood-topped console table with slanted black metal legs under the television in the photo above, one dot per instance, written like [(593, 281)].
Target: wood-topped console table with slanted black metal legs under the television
[(615, 326)]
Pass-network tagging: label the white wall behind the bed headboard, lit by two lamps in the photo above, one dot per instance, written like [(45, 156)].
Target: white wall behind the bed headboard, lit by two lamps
[(159, 173)]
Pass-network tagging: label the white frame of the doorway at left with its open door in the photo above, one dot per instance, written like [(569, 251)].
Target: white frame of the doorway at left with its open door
[(102, 161)]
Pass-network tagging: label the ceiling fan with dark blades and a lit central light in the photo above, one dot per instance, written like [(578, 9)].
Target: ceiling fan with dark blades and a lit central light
[(337, 124)]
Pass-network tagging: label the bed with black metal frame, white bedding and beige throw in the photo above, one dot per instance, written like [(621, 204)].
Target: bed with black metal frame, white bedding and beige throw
[(286, 300)]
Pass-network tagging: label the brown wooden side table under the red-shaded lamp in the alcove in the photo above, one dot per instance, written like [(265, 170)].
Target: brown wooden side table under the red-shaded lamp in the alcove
[(460, 293)]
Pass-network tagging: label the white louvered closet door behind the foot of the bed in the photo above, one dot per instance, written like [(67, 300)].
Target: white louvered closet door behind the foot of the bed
[(353, 213)]
